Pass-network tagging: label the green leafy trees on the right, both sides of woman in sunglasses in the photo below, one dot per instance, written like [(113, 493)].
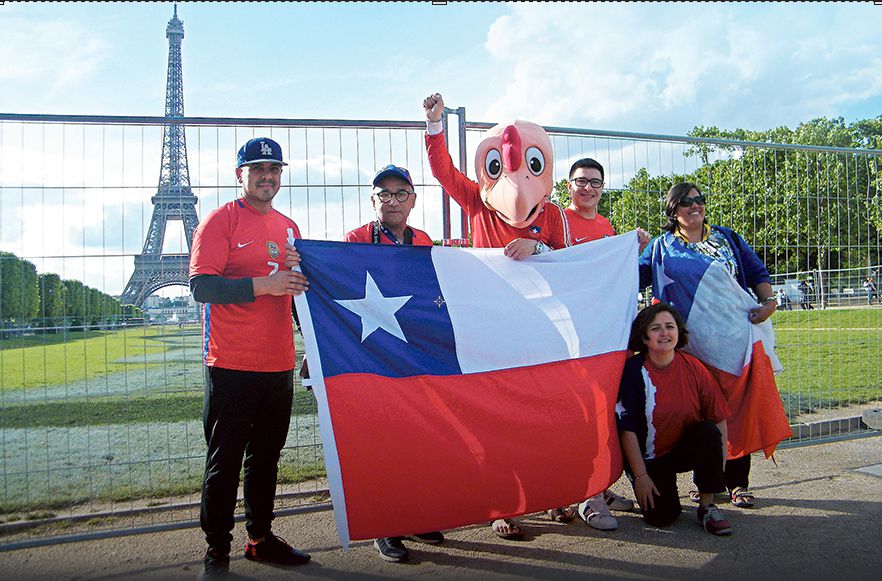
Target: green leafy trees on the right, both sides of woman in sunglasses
[(800, 209)]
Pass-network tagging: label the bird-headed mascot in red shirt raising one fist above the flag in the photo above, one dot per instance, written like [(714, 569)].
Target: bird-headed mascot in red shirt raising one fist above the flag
[(510, 198)]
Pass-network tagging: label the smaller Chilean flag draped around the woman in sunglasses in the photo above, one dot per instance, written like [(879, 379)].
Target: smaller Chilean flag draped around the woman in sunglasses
[(740, 354)]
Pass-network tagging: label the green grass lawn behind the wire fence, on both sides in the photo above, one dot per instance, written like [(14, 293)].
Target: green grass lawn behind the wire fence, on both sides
[(134, 431)]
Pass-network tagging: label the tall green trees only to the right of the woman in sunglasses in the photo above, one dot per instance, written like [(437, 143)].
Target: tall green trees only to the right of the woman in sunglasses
[(804, 209)]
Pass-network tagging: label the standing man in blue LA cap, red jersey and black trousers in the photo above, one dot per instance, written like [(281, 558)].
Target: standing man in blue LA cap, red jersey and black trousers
[(240, 267)]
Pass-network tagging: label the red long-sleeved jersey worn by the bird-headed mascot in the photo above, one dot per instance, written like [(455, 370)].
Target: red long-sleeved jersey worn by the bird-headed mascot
[(488, 229)]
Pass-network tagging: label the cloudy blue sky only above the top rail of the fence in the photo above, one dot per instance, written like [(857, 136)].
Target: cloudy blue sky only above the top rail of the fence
[(657, 68)]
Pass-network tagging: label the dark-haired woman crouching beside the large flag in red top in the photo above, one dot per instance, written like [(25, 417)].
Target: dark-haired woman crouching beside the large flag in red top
[(671, 416)]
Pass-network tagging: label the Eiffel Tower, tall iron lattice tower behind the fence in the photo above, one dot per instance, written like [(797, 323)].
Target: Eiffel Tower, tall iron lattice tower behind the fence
[(174, 200)]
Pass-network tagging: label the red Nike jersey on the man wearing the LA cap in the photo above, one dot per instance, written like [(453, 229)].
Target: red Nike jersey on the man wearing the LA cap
[(237, 241)]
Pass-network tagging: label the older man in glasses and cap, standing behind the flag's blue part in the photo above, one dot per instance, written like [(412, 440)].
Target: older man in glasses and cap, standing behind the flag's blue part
[(393, 198)]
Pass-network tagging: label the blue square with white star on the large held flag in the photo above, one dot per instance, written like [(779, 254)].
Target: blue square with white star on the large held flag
[(382, 308)]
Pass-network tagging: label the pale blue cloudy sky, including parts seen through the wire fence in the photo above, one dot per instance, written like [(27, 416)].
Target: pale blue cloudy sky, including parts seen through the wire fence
[(652, 68)]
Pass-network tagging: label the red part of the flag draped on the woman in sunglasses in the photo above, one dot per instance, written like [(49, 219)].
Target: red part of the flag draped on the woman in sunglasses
[(758, 420)]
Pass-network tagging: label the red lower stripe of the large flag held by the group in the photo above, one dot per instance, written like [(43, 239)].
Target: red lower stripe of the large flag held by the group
[(436, 452)]
